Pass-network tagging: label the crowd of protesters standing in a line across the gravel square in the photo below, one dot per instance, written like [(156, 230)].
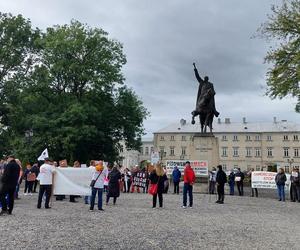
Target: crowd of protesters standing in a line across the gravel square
[(112, 180)]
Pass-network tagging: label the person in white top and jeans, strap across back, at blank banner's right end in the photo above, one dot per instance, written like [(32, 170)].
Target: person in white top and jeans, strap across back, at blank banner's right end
[(97, 185)]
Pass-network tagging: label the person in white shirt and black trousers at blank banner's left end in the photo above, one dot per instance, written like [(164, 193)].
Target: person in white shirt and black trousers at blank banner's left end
[(45, 177)]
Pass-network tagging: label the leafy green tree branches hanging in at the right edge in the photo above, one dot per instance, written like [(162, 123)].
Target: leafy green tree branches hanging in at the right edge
[(283, 78)]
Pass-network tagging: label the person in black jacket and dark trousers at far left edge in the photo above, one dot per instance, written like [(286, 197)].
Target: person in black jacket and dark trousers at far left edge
[(9, 182)]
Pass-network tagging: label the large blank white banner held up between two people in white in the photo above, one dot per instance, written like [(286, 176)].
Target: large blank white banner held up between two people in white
[(73, 181)]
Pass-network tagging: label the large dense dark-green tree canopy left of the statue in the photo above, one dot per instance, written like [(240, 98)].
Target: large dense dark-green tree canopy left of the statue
[(66, 86)]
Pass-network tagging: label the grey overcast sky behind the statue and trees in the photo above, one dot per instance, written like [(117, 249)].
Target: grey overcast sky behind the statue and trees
[(161, 41)]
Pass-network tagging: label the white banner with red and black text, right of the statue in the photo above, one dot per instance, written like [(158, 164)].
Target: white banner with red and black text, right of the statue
[(263, 179)]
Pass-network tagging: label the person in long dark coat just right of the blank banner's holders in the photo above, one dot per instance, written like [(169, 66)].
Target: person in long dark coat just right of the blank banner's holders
[(114, 178)]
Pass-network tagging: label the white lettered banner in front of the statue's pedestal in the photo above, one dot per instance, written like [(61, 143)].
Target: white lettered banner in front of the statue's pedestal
[(200, 167)]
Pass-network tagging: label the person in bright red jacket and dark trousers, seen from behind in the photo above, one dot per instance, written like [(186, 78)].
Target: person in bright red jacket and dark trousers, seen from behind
[(189, 179)]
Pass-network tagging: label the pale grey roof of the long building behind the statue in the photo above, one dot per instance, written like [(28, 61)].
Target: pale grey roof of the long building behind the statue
[(234, 127)]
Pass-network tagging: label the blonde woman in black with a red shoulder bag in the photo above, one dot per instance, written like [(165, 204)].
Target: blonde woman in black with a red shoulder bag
[(158, 177)]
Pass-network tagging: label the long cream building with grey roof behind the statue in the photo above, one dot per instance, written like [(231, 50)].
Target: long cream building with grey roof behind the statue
[(246, 144)]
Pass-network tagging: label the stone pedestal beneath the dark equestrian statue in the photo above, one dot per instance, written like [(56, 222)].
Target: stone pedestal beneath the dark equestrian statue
[(205, 147)]
